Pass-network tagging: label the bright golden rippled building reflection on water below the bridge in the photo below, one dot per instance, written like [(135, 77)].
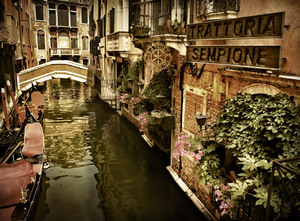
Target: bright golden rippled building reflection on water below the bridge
[(69, 120)]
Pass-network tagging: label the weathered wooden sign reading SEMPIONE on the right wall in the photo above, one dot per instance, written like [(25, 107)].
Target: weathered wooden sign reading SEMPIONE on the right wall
[(265, 57)]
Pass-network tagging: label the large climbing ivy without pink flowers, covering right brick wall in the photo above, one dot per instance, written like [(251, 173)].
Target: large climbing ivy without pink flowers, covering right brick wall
[(259, 128)]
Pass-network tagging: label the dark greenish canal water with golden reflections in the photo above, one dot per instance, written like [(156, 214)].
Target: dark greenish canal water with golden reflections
[(100, 167)]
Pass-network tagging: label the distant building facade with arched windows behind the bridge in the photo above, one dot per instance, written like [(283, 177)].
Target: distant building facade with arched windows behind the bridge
[(60, 30)]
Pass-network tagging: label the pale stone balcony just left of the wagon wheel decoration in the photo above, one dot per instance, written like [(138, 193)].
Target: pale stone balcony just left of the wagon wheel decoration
[(118, 42)]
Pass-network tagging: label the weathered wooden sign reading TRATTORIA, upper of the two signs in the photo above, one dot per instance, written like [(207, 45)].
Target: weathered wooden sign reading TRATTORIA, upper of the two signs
[(260, 26)]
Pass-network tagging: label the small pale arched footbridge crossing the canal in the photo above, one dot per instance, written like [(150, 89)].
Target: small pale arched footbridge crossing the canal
[(49, 70)]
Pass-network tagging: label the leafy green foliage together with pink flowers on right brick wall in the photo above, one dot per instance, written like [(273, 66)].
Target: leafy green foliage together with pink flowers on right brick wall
[(258, 129)]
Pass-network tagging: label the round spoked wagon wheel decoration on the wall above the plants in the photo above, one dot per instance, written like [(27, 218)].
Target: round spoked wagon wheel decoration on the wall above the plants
[(158, 56)]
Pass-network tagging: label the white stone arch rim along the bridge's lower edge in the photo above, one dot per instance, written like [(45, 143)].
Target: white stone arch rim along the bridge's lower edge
[(24, 86)]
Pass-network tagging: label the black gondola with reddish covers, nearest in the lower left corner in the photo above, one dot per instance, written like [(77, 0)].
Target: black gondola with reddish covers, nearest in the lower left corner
[(21, 169)]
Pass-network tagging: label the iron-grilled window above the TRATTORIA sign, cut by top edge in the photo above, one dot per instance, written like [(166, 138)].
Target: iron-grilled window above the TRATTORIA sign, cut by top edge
[(204, 7)]
